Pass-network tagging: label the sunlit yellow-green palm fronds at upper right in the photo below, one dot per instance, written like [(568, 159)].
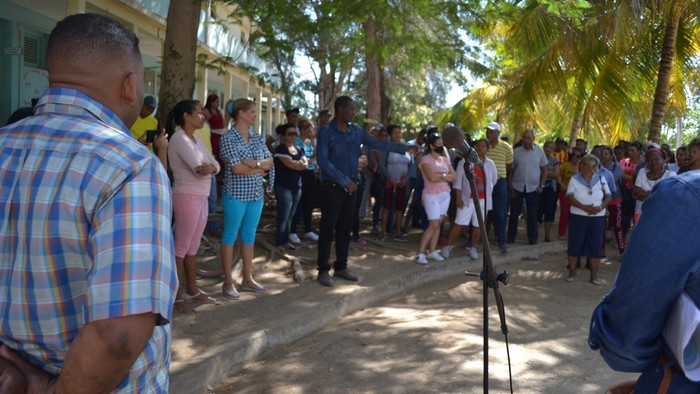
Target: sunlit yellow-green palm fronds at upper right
[(581, 68)]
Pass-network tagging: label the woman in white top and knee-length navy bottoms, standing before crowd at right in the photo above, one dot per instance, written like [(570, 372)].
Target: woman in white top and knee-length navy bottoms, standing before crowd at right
[(589, 195)]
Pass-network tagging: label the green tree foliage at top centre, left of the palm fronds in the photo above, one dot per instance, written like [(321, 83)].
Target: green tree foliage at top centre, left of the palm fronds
[(414, 38)]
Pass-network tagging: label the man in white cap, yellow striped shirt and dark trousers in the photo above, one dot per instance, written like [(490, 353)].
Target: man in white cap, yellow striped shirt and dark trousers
[(502, 155)]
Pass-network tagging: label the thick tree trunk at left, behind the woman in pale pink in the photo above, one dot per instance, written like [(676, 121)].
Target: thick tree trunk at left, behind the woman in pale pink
[(179, 55)]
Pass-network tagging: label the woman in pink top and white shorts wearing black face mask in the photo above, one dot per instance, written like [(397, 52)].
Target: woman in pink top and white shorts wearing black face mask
[(437, 172)]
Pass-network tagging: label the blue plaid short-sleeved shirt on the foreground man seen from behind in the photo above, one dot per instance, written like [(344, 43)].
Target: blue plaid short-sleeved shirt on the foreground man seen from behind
[(85, 234)]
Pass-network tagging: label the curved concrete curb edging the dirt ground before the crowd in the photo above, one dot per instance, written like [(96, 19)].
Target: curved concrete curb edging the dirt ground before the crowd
[(211, 367)]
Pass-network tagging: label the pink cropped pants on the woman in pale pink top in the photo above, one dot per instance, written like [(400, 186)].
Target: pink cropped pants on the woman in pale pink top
[(190, 215)]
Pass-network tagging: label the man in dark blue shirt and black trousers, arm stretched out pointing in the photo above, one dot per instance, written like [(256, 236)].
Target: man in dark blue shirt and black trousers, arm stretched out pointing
[(337, 153)]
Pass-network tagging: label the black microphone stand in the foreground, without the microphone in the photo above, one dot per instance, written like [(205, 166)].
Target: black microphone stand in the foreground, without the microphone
[(487, 275)]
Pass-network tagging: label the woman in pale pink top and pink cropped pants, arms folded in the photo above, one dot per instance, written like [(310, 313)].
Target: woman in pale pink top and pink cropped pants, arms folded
[(193, 166)]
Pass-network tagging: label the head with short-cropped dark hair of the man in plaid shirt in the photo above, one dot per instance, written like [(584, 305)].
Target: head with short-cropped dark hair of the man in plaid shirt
[(100, 57)]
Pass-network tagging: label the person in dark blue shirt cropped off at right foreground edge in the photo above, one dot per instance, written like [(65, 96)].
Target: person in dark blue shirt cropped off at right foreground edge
[(660, 263)]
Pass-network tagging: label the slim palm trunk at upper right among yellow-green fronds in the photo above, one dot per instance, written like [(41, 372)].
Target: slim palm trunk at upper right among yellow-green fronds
[(668, 53)]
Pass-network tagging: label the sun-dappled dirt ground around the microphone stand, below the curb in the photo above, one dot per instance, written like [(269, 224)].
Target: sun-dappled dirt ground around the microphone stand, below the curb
[(430, 341)]
